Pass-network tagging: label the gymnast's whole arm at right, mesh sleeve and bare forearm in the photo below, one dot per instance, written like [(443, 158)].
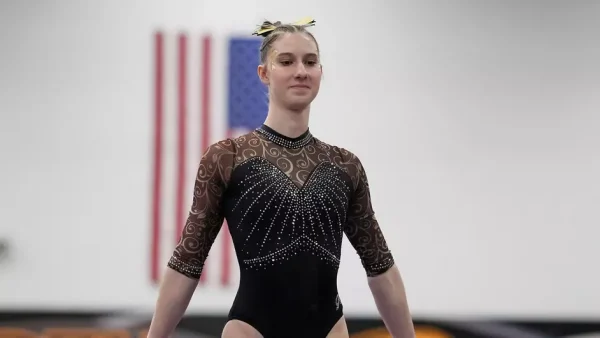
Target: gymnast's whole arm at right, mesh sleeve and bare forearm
[(385, 281)]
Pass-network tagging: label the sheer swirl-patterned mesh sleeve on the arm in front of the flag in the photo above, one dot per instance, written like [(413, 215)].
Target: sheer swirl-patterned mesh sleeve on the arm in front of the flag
[(205, 217)]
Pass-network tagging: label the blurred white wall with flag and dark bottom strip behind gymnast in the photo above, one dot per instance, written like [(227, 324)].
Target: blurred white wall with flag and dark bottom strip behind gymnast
[(478, 123)]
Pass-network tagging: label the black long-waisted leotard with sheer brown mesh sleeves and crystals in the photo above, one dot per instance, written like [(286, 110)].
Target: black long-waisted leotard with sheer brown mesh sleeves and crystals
[(287, 203)]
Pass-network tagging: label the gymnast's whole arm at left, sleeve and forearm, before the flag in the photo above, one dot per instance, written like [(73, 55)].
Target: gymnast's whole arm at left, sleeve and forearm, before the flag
[(201, 228)]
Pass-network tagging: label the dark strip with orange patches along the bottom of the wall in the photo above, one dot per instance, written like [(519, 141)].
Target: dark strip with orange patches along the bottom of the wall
[(77, 325)]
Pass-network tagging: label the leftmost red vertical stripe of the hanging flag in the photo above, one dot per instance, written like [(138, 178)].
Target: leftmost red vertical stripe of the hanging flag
[(157, 163)]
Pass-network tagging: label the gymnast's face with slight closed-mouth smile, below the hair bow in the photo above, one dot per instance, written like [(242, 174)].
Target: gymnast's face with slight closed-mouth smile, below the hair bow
[(292, 71)]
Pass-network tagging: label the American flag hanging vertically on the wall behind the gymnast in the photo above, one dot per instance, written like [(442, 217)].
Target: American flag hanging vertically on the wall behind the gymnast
[(183, 94)]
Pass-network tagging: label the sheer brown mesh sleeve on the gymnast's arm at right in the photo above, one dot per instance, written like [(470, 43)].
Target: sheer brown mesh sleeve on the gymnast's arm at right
[(362, 228)]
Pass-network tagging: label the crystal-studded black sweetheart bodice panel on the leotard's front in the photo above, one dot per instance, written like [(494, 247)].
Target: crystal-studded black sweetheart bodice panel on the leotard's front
[(277, 219)]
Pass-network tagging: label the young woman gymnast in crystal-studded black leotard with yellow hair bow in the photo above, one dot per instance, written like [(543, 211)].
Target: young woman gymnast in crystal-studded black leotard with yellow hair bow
[(288, 199)]
